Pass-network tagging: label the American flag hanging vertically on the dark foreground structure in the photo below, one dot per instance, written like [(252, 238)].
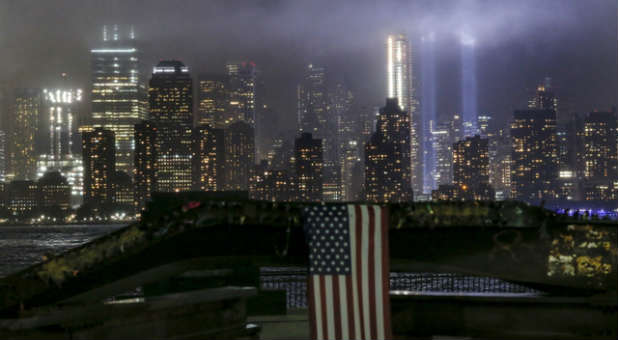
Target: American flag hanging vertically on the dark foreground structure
[(348, 271)]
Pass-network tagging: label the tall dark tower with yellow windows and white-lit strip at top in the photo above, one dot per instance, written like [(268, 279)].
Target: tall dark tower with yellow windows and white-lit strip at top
[(166, 165)]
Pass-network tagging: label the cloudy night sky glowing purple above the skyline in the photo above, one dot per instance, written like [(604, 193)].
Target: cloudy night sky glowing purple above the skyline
[(518, 43)]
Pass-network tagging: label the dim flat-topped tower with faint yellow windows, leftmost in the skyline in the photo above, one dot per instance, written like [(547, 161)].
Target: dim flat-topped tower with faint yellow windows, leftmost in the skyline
[(23, 130)]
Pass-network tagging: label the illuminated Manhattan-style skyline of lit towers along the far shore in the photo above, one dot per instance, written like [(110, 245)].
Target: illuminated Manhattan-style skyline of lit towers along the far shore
[(177, 129)]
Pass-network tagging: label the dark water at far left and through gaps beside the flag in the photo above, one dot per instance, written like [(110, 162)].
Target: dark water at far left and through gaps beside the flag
[(22, 246)]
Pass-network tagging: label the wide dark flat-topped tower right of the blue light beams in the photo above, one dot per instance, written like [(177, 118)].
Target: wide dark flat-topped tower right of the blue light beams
[(534, 154)]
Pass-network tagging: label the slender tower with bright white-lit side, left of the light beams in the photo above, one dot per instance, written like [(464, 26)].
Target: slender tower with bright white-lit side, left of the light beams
[(400, 85)]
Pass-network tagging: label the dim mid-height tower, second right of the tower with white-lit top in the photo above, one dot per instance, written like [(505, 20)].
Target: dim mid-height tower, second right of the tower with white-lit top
[(239, 155)]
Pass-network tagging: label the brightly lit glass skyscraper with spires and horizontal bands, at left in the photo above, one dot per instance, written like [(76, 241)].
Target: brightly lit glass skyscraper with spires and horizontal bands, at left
[(118, 91)]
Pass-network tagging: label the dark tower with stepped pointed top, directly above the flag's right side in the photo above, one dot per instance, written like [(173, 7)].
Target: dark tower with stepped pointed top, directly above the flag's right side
[(387, 157)]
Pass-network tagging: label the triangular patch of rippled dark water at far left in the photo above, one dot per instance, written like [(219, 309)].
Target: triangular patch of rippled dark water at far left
[(23, 246)]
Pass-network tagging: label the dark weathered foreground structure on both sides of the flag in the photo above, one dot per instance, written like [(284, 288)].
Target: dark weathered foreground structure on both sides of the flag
[(196, 258)]
